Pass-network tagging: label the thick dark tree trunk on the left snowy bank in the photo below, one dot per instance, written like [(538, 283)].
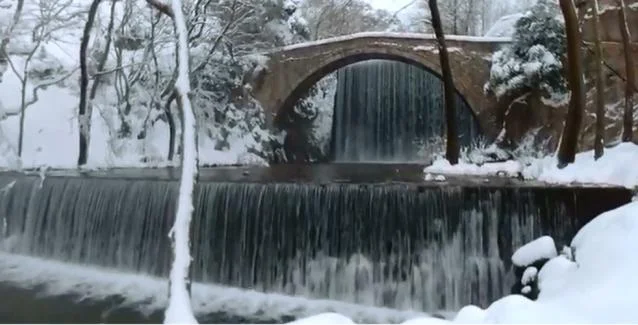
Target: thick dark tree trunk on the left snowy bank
[(84, 119)]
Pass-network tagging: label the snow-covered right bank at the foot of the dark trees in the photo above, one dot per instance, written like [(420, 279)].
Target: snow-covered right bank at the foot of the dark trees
[(615, 167)]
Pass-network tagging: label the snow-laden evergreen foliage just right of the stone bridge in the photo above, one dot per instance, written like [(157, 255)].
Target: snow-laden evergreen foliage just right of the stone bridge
[(533, 60)]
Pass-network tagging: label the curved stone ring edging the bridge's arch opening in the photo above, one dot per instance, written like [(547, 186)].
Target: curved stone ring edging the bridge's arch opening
[(306, 82)]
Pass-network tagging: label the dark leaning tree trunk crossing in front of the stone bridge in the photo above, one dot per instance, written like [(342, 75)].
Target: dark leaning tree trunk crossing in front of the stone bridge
[(452, 148)]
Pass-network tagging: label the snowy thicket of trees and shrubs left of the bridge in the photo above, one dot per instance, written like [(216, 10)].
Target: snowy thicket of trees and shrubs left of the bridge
[(130, 109)]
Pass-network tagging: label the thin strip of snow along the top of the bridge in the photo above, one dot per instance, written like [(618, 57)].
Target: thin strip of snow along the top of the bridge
[(399, 36)]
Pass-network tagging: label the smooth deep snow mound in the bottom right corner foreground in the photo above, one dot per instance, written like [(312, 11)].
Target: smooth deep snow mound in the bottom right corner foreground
[(595, 287)]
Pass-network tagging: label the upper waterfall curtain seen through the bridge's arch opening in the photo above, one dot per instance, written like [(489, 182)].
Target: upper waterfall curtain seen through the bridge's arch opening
[(389, 111)]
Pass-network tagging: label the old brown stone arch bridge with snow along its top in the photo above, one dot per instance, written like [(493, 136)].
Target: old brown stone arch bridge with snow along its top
[(291, 71)]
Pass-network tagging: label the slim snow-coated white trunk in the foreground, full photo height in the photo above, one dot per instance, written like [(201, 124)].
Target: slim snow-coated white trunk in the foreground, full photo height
[(179, 310)]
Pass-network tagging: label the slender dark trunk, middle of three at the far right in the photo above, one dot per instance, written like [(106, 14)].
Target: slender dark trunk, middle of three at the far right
[(599, 140)]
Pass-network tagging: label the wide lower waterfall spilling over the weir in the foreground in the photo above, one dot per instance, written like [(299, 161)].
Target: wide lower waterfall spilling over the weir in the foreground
[(404, 246)]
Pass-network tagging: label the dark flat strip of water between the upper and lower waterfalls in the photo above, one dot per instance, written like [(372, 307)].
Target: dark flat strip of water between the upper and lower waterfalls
[(354, 173)]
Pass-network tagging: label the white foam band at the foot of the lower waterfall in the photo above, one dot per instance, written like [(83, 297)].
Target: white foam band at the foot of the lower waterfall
[(148, 294)]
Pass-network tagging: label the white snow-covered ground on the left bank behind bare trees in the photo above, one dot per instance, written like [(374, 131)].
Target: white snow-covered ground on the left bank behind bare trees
[(51, 136)]
